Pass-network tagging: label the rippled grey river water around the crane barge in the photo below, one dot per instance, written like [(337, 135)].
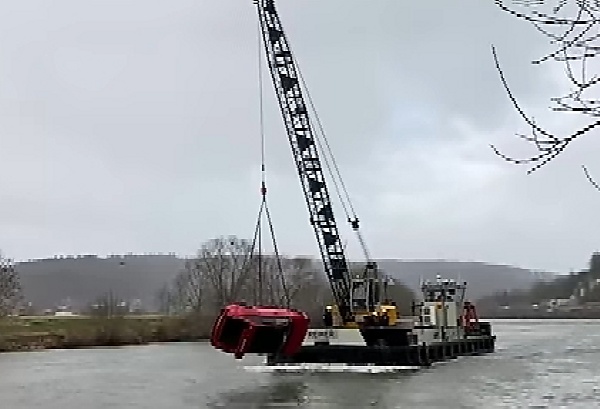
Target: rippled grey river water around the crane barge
[(538, 364)]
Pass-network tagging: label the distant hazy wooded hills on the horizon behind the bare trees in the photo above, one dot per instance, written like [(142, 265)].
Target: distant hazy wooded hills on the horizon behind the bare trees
[(51, 282)]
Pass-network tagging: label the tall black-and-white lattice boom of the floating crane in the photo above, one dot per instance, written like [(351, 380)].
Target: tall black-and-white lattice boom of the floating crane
[(301, 135)]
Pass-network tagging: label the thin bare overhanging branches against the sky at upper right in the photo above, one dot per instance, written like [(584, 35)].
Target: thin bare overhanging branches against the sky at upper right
[(571, 26)]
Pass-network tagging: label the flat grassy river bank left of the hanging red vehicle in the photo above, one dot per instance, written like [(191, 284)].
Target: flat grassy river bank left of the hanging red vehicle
[(26, 333)]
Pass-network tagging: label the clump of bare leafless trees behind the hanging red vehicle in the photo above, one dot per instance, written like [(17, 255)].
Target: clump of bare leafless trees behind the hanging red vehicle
[(228, 270)]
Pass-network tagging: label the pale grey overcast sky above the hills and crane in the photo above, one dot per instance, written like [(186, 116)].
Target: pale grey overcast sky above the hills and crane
[(133, 127)]
